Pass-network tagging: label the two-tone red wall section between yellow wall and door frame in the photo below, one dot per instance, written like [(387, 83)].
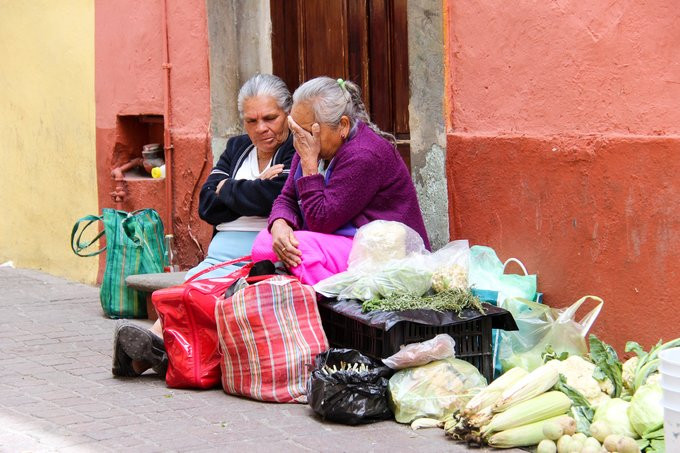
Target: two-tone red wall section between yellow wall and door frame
[(129, 81)]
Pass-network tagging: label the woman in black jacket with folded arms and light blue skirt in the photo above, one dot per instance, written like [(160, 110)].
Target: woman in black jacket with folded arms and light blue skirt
[(236, 199)]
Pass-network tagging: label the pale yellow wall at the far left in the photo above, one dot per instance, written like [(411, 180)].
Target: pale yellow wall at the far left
[(47, 133)]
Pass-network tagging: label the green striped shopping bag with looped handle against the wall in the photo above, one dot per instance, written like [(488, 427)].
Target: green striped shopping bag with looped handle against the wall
[(134, 245)]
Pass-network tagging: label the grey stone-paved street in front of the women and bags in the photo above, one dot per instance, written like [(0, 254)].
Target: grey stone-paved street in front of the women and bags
[(57, 392)]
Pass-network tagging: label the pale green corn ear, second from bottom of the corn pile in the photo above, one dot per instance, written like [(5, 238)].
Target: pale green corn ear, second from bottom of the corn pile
[(547, 405)]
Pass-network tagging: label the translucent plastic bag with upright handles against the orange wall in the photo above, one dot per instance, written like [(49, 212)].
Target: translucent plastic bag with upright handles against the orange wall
[(540, 326)]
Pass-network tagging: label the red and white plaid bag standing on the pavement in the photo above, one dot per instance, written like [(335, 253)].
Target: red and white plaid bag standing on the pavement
[(269, 332)]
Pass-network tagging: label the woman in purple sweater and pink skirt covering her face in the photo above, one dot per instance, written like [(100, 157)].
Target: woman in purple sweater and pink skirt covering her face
[(345, 174)]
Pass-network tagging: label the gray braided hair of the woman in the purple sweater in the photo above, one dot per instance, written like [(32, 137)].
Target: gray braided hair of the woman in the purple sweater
[(330, 99)]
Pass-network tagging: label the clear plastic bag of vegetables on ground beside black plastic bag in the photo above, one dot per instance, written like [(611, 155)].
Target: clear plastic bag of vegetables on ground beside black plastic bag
[(433, 390)]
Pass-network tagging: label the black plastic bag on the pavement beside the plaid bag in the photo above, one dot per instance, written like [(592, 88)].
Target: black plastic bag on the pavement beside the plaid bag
[(349, 397)]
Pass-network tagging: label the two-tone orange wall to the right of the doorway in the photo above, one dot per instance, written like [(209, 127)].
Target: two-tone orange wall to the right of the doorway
[(563, 150)]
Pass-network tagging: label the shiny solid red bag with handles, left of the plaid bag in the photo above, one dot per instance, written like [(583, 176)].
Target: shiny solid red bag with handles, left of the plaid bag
[(187, 314)]
